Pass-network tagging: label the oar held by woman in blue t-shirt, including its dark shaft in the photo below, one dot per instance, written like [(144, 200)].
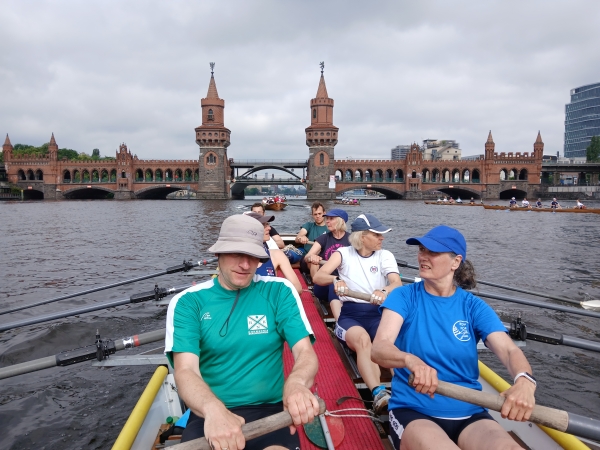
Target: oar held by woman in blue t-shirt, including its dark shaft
[(556, 419)]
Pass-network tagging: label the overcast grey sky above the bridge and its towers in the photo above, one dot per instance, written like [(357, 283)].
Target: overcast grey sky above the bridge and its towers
[(98, 73)]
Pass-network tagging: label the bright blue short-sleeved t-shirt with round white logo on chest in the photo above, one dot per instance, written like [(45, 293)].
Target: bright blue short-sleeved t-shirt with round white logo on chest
[(443, 332)]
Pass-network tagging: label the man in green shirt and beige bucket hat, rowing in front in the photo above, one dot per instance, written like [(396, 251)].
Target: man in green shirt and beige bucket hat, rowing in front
[(225, 340)]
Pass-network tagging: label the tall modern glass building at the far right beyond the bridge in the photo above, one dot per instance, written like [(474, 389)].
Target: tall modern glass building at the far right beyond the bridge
[(582, 119)]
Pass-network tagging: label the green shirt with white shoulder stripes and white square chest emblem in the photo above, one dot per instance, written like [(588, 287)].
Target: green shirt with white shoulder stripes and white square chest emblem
[(241, 360)]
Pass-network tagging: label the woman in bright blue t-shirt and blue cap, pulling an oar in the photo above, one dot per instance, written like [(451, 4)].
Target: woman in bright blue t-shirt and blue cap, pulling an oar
[(431, 329)]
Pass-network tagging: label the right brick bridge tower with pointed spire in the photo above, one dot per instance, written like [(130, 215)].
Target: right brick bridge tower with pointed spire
[(321, 138)]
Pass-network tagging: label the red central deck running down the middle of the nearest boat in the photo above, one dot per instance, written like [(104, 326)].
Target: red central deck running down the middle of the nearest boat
[(333, 382)]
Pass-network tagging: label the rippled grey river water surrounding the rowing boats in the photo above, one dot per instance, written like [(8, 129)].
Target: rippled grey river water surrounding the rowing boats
[(53, 248)]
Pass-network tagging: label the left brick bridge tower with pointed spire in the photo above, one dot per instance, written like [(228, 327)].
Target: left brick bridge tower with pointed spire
[(213, 139)]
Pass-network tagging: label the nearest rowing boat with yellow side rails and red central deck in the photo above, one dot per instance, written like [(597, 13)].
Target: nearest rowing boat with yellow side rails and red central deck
[(336, 380)]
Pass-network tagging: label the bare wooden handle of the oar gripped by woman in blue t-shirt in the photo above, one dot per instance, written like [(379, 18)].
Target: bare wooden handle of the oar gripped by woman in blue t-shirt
[(542, 415)]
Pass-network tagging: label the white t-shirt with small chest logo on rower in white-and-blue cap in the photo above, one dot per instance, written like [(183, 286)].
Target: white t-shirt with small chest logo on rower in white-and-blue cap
[(365, 274)]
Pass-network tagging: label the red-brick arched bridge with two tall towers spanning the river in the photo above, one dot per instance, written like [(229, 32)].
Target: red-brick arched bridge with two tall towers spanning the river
[(216, 176)]
